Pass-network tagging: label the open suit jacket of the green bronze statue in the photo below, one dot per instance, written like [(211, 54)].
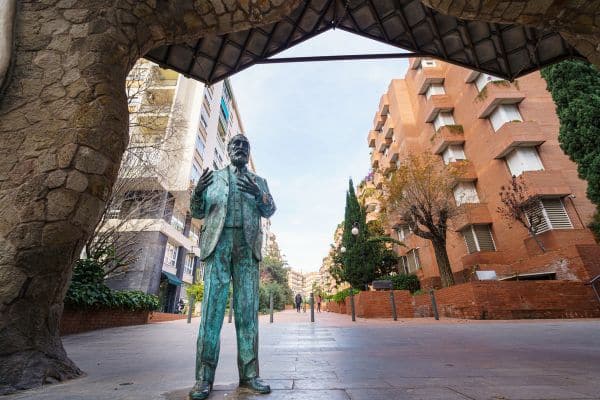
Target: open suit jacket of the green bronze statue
[(211, 205)]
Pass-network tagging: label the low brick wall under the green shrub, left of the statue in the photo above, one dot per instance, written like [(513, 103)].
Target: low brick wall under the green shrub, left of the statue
[(89, 320)]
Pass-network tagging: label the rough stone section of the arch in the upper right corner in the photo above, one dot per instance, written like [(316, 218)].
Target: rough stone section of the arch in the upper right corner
[(577, 21)]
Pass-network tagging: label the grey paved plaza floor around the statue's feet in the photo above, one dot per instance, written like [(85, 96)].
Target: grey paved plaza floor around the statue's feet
[(337, 359)]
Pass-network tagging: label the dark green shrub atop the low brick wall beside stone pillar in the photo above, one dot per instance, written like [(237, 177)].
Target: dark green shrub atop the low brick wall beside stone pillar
[(87, 290)]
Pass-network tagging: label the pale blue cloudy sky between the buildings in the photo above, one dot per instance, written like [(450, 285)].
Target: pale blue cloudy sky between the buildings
[(308, 125)]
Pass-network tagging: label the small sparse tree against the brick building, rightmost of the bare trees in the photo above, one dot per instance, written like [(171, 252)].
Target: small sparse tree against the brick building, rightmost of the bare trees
[(521, 206)]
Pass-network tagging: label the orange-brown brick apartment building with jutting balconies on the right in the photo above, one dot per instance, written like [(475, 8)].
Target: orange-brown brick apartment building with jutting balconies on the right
[(497, 130)]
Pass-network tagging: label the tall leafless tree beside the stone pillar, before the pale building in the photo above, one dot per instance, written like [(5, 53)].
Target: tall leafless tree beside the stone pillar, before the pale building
[(138, 196)]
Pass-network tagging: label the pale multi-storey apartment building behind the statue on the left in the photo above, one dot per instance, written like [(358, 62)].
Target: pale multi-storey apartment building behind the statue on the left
[(181, 127)]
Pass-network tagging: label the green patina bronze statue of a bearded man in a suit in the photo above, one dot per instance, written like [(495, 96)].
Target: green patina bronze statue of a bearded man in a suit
[(231, 200)]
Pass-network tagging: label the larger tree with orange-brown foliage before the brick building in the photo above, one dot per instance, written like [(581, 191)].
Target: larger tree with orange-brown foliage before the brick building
[(420, 191)]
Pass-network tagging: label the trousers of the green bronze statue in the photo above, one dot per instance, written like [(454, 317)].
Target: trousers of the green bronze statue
[(232, 260)]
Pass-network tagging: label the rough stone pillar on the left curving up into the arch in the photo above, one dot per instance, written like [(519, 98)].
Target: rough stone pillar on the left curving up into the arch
[(63, 129)]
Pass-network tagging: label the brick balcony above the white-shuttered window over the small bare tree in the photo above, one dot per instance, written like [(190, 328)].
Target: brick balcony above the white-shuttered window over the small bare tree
[(516, 134)]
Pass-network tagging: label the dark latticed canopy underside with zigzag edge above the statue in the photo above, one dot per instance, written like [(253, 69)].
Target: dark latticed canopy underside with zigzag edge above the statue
[(504, 50)]
